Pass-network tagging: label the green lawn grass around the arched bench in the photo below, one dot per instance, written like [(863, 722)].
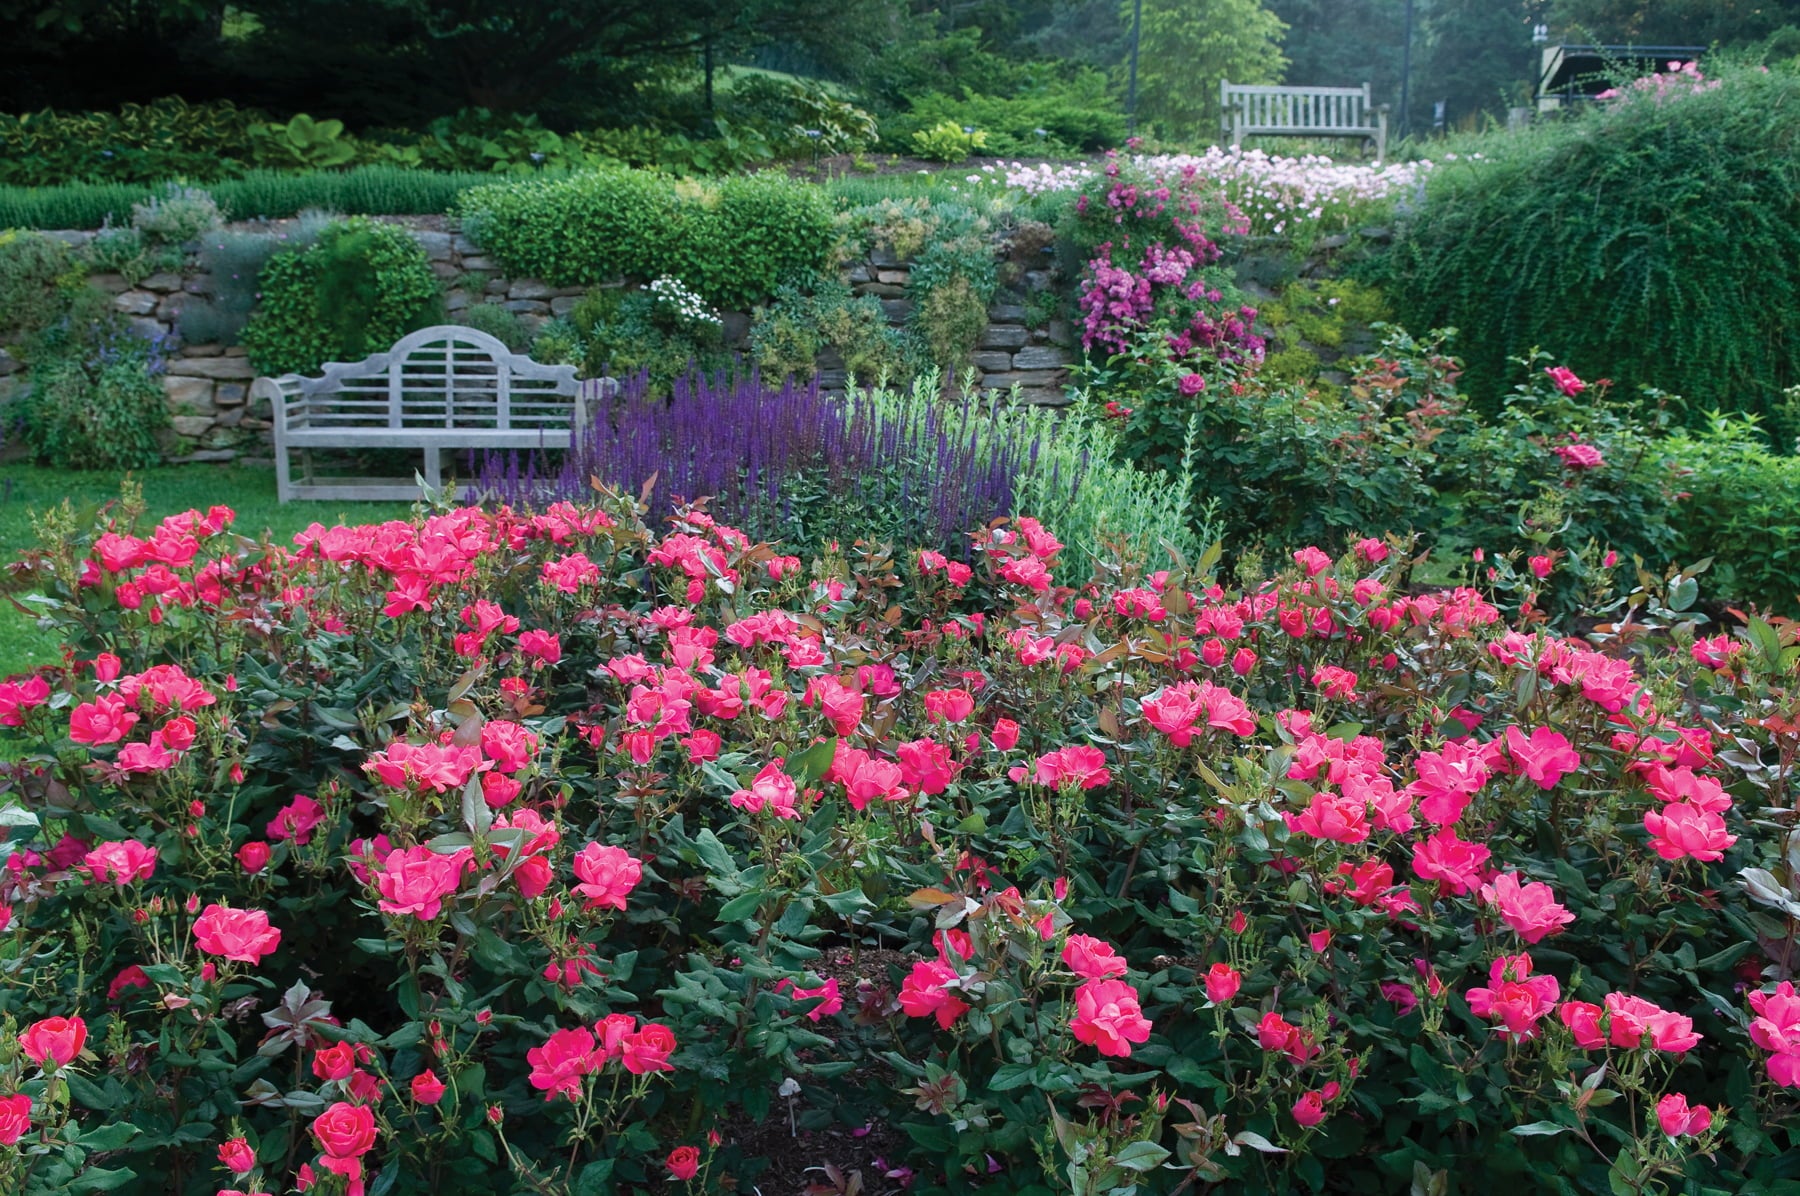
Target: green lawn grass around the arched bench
[(28, 491)]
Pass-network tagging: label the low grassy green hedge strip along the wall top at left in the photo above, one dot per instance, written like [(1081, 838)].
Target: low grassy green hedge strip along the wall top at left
[(274, 195)]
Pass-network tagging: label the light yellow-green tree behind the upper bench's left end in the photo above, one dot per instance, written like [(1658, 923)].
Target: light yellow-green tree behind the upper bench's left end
[(1189, 46)]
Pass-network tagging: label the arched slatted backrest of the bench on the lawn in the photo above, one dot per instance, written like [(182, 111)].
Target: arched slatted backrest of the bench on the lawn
[(447, 377)]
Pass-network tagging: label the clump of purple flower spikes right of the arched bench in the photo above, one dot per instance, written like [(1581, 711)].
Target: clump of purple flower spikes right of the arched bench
[(789, 462)]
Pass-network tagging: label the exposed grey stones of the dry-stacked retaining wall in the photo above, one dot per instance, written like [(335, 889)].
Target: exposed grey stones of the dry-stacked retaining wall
[(208, 385)]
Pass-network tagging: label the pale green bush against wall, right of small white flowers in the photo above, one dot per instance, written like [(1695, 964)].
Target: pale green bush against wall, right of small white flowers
[(789, 336)]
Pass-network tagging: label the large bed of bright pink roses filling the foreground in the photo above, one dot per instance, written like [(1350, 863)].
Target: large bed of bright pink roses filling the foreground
[(548, 851)]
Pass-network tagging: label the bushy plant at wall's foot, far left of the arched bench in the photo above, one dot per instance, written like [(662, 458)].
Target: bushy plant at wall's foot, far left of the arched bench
[(94, 399)]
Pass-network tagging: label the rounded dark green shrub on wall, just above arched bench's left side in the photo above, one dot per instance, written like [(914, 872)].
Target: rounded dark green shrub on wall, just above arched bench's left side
[(359, 289)]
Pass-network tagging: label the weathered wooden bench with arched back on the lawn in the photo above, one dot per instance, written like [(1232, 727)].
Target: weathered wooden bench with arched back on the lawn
[(438, 388)]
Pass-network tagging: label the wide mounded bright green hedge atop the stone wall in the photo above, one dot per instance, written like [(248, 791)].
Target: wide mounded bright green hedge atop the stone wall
[(735, 242)]
